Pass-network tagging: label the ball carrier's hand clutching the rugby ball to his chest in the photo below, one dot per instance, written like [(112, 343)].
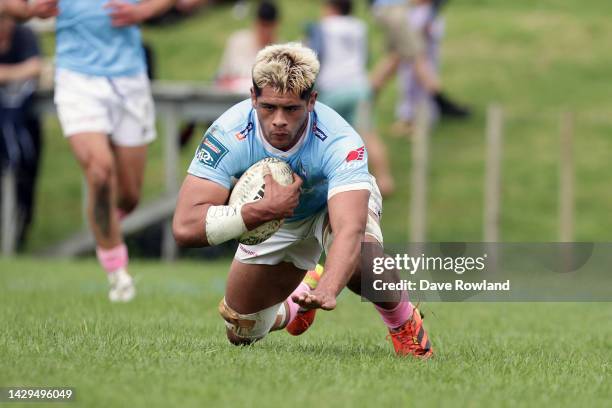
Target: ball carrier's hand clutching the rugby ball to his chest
[(280, 200)]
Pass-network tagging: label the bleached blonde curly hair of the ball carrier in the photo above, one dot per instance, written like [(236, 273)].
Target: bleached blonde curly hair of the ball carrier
[(287, 68)]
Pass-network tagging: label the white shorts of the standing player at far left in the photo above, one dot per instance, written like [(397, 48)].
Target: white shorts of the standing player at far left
[(121, 107)]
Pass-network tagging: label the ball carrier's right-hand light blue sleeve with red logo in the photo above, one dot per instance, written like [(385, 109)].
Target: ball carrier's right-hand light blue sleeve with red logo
[(346, 164)]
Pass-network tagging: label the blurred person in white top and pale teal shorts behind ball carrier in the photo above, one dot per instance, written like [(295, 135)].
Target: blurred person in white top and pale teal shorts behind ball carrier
[(340, 41)]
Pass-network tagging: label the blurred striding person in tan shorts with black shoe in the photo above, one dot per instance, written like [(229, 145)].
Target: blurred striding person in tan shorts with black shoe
[(404, 44)]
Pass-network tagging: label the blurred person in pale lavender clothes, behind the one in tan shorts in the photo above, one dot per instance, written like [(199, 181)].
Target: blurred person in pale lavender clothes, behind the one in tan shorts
[(424, 16)]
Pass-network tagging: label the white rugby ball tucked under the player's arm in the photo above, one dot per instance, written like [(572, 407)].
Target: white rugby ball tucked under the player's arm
[(251, 187)]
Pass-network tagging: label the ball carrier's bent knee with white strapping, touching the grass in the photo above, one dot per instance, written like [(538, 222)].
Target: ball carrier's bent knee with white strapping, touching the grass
[(243, 329)]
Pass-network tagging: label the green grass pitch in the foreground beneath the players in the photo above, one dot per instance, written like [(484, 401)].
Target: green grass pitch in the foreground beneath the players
[(167, 348)]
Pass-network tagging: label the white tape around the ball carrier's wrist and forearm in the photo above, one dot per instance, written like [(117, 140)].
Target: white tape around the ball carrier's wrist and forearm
[(224, 222)]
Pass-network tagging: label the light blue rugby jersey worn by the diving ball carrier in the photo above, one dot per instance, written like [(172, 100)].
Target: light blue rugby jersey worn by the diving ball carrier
[(330, 157)]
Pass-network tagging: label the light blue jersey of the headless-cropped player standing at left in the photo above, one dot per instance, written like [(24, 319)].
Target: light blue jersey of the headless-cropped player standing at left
[(86, 42)]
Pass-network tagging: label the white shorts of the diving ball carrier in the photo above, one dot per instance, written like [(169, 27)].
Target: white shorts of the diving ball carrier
[(302, 242)]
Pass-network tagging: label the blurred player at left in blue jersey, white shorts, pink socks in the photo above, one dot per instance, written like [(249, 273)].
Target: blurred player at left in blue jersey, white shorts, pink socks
[(104, 104)]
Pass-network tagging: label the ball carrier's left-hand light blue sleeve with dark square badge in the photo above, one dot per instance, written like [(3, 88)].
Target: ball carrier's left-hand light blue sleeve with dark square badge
[(217, 158)]
